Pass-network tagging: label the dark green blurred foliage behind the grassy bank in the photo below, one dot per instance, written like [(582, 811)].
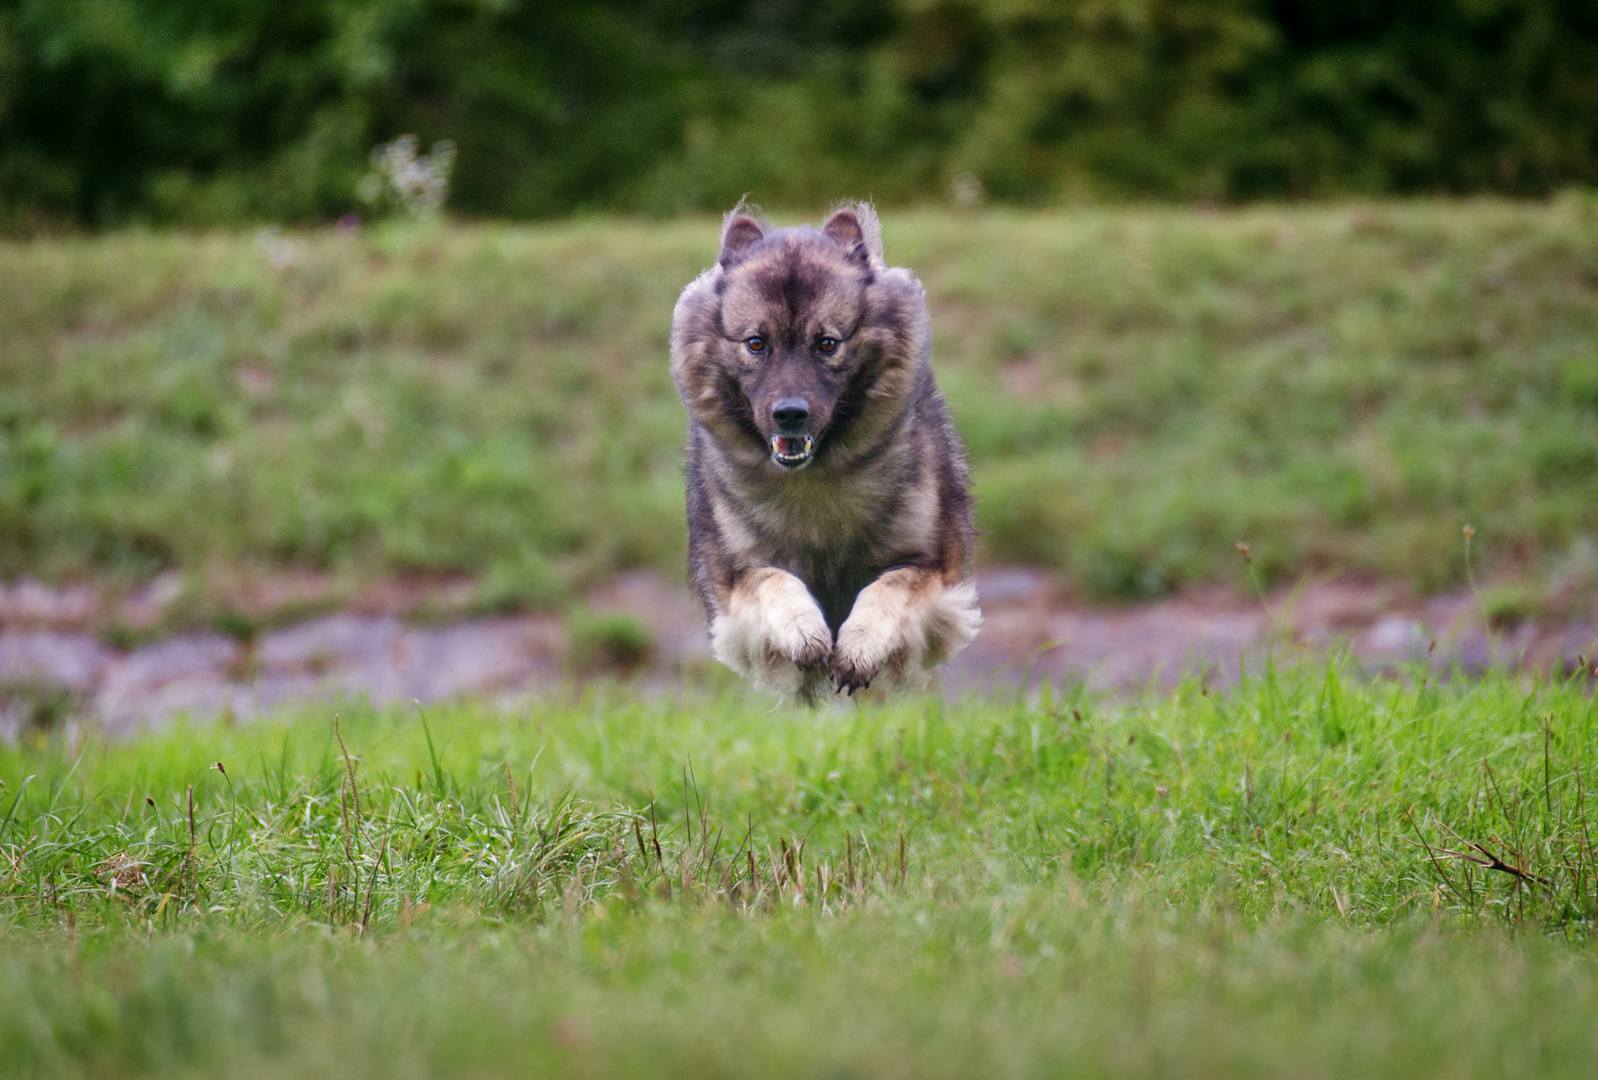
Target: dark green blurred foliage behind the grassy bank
[(217, 111)]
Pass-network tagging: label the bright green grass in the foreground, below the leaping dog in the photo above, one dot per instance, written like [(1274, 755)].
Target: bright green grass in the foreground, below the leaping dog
[(1250, 883)]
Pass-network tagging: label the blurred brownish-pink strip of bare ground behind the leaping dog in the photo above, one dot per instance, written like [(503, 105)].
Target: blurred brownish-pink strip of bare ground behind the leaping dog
[(1032, 632)]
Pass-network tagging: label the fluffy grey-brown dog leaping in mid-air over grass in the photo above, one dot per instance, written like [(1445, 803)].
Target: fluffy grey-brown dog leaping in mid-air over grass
[(829, 499)]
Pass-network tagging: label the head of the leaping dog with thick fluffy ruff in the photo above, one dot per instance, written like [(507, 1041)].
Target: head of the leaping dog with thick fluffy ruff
[(800, 344)]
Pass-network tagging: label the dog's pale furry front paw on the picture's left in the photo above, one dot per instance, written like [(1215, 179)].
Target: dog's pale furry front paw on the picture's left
[(774, 633)]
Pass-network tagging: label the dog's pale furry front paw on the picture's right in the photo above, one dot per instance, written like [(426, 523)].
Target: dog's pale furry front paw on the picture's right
[(902, 627)]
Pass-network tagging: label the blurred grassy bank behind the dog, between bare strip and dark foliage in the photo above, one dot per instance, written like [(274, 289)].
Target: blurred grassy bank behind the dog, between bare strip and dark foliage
[(1340, 386)]
